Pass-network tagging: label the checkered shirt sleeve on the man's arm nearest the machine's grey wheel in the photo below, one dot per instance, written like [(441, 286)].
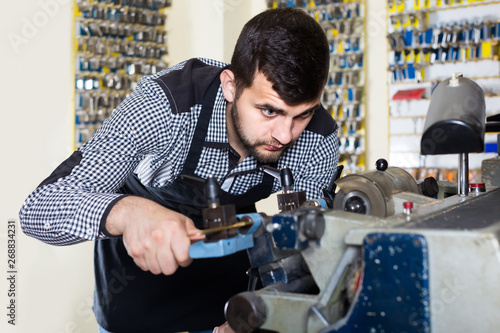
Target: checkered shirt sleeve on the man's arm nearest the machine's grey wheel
[(320, 163)]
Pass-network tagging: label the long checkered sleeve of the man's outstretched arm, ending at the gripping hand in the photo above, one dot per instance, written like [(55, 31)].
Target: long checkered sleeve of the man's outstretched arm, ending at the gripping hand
[(72, 204)]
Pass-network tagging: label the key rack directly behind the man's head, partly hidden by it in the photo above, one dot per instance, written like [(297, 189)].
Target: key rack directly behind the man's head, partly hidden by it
[(343, 97)]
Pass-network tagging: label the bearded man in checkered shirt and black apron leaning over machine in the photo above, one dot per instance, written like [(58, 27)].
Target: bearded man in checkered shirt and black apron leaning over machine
[(125, 189)]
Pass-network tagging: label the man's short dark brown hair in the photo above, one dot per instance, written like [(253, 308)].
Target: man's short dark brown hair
[(290, 48)]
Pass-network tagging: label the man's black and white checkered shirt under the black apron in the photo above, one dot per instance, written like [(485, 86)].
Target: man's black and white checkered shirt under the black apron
[(144, 136)]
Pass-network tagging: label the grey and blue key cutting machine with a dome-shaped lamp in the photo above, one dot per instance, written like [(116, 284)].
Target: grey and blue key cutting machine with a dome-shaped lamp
[(393, 255)]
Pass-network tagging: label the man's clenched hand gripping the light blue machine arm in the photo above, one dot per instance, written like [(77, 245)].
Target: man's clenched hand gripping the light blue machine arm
[(154, 236)]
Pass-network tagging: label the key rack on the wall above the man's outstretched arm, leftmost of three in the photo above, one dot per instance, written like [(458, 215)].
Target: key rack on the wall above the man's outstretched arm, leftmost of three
[(117, 42)]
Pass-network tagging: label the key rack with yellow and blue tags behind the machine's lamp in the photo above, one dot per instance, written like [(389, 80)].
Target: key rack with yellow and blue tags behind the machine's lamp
[(429, 40)]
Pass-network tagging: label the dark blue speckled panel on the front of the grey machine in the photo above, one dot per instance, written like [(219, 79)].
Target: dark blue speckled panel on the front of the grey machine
[(394, 296)]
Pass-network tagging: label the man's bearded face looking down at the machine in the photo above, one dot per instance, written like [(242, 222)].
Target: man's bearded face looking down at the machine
[(264, 124)]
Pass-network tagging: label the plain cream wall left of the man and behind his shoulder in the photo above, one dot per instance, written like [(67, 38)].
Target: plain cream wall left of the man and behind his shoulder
[(54, 285)]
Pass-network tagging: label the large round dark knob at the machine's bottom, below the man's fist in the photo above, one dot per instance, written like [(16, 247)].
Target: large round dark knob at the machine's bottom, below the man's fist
[(245, 312)]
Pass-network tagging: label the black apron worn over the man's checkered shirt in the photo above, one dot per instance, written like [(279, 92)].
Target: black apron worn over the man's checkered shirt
[(128, 299)]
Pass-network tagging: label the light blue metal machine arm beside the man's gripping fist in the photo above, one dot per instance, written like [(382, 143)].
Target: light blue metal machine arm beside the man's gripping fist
[(227, 246)]
